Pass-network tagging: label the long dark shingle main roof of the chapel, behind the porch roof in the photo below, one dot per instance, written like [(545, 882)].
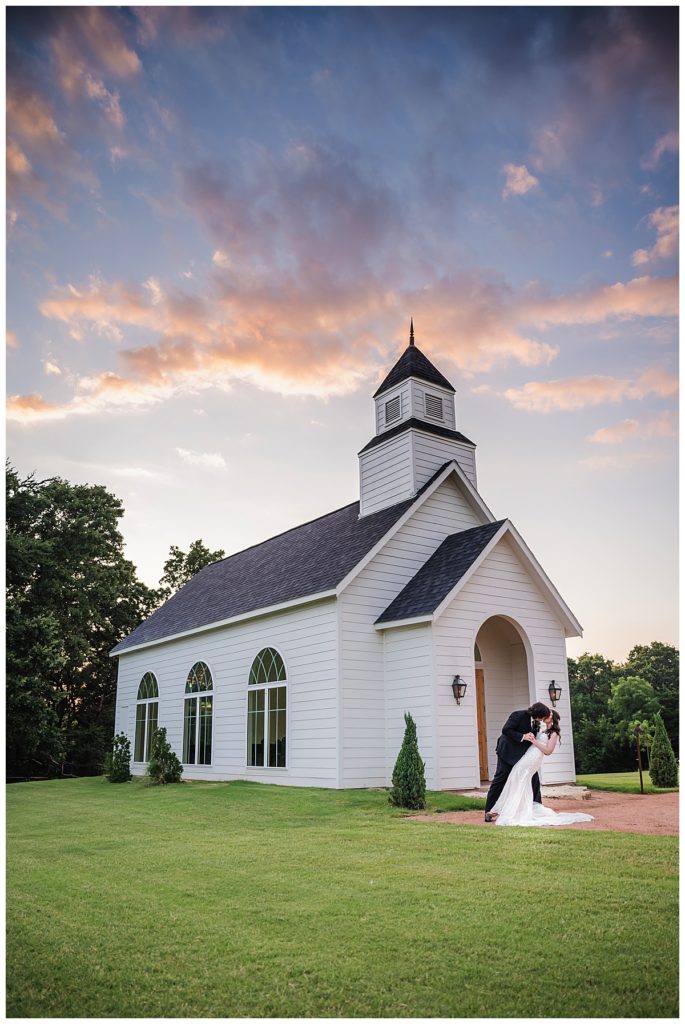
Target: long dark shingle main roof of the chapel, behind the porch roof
[(308, 560)]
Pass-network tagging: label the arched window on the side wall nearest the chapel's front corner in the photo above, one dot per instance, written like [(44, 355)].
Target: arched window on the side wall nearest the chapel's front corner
[(267, 711)]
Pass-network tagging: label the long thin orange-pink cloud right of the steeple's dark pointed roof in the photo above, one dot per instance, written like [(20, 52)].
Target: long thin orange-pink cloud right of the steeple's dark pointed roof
[(579, 393)]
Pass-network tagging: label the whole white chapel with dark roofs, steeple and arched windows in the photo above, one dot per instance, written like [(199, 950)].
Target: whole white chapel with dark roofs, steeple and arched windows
[(293, 662)]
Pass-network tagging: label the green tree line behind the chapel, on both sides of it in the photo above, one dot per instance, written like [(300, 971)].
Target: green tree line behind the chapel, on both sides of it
[(72, 596)]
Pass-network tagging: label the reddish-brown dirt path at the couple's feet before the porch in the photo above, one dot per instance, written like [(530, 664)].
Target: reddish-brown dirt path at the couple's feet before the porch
[(650, 816)]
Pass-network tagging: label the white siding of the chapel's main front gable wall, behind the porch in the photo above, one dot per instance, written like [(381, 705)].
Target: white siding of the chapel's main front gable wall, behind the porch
[(364, 704)]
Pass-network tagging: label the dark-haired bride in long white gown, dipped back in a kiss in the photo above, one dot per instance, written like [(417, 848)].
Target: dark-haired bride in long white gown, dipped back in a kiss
[(516, 805)]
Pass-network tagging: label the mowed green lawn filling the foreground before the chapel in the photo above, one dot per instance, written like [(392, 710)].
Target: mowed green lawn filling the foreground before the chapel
[(246, 901)]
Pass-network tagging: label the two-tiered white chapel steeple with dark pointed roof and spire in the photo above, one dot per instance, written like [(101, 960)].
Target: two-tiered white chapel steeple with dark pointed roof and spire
[(416, 433)]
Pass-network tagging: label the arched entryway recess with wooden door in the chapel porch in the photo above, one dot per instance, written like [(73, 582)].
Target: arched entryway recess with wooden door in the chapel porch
[(504, 682)]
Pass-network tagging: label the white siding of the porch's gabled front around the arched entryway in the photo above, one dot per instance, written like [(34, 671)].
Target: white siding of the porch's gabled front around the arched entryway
[(502, 586)]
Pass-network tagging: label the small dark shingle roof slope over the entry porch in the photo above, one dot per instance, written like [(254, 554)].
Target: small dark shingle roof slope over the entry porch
[(444, 570)]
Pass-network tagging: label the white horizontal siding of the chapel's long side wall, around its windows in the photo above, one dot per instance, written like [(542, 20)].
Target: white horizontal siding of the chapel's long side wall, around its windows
[(307, 638)]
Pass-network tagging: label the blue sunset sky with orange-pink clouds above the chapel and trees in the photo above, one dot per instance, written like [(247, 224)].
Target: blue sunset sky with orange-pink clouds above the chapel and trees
[(221, 221)]
